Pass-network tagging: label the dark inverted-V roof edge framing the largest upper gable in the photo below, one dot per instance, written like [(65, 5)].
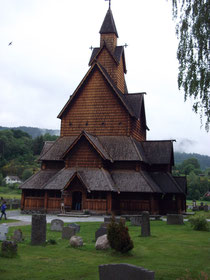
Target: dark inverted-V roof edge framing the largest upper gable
[(118, 93)]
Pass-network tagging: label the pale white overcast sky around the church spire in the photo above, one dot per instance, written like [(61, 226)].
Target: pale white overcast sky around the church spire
[(49, 56)]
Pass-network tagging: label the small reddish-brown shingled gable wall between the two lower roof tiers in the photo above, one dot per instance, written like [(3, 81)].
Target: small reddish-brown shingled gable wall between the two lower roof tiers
[(83, 155)]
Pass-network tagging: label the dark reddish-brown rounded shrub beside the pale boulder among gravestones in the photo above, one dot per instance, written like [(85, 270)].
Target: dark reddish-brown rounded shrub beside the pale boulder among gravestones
[(118, 236)]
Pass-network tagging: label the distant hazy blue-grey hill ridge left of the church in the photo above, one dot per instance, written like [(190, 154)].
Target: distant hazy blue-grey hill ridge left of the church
[(34, 131)]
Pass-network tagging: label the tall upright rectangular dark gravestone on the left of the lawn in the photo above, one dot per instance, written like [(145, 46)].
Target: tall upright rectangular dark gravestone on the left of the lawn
[(38, 229)]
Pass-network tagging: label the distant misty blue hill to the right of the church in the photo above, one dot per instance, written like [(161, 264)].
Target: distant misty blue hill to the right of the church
[(204, 161)]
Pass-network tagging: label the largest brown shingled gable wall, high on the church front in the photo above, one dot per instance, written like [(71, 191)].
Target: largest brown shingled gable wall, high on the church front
[(95, 109)]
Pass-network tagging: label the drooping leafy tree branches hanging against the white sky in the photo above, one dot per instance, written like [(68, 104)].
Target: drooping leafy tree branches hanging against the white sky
[(192, 29)]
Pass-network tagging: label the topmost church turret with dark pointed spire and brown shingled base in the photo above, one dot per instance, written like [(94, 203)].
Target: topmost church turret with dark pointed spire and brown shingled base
[(108, 31)]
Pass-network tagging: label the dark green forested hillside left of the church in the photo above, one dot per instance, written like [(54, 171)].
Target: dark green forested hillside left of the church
[(19, 153)]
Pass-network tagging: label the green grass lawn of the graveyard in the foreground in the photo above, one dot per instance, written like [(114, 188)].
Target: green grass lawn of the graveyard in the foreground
[(170, 251)]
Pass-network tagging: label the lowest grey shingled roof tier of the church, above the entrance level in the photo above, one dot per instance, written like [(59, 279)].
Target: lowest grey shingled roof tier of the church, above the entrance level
[(100, 179)]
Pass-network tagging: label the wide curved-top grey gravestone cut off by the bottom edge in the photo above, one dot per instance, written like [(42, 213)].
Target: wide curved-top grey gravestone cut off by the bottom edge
[(123, 271)]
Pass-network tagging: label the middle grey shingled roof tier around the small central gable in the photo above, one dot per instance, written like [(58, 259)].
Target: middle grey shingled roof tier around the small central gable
[(114, 148)]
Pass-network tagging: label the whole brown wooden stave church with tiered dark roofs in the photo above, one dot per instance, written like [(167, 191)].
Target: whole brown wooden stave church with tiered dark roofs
[(102, 161)]
